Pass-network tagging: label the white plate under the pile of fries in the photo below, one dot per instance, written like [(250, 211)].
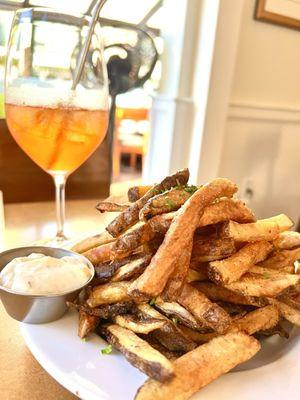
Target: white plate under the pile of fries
[(81, 368)]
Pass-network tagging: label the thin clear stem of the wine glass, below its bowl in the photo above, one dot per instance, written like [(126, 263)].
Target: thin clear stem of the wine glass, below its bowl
[(60, 184)]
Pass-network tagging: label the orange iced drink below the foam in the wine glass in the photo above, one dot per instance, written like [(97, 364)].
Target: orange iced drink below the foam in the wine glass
[(57, 139)]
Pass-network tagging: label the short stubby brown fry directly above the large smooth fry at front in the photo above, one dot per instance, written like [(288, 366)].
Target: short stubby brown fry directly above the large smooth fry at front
[(211, 314)]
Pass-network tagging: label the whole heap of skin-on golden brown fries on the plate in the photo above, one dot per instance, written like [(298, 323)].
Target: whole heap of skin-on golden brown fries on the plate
[(186, 282)]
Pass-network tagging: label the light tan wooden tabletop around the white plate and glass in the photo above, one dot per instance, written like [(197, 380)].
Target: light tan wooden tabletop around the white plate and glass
[(22, 376)]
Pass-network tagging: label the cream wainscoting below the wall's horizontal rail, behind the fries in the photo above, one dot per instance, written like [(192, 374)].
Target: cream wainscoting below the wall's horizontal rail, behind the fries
[(261, 153)]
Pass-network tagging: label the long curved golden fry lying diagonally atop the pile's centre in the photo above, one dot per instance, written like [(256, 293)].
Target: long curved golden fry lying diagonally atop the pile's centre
[(153, 280)]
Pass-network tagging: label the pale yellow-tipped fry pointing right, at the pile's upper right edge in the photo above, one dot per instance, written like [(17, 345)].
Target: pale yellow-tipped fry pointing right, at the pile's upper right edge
[(265, 229)]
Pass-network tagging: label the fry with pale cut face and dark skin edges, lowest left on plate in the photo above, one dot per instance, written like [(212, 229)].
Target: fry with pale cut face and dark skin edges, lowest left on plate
[(138, 352)]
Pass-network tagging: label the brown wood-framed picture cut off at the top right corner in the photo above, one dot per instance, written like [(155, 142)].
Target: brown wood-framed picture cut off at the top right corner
[(281, 12)]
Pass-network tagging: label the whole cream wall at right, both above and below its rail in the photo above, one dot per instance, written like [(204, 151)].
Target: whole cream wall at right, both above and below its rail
[(261, 148)]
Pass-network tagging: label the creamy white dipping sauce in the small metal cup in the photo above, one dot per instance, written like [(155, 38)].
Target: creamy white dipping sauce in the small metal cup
[(40, 274)]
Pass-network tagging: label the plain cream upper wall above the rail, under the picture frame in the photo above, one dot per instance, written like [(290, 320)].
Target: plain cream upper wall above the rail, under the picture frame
[(267, 70)]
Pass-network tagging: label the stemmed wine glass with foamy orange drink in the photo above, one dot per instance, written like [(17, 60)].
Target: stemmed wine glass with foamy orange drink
[(57, 127)]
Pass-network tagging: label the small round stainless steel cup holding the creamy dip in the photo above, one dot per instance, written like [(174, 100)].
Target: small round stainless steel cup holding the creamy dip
[(38, 309)]
